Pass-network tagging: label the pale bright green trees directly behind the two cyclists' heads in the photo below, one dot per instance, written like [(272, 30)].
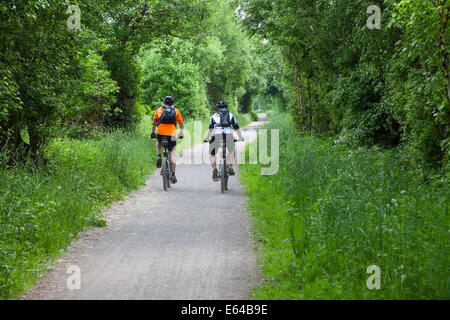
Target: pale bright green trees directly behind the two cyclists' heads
[(224, 65)]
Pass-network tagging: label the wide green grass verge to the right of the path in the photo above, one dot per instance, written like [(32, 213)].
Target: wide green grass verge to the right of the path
[(332, 211)]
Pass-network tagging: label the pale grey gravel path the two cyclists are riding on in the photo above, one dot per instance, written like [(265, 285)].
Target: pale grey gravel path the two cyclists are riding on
[(189, 243)]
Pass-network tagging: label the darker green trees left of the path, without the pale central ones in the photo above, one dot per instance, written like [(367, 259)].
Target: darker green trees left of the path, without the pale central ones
[(54, 76)]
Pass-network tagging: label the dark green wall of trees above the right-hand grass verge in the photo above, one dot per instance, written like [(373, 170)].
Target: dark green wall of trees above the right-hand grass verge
[(384, 86)]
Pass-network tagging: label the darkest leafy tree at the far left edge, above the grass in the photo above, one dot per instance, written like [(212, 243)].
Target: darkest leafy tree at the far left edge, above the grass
[(38, 58)]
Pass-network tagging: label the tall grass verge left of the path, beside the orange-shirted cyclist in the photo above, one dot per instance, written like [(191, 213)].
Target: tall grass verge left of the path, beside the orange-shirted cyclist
[(42, 209)]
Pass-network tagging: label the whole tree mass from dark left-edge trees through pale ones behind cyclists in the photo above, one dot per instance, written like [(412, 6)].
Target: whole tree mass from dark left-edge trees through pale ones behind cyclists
[(124, 56)]
